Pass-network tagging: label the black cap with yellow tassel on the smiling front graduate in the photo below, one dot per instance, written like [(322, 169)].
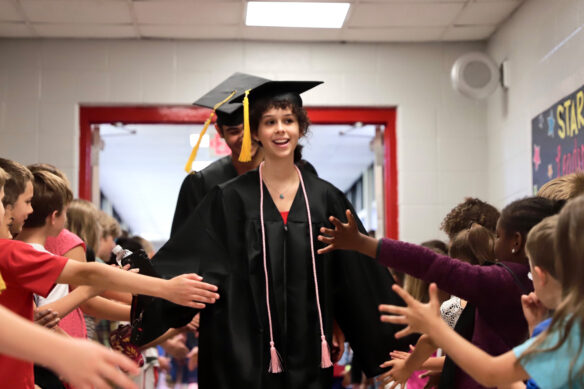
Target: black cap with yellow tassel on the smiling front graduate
[(274, 91)]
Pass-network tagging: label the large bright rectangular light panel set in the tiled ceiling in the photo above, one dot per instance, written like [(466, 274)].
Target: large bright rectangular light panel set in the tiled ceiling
[(295, 14)]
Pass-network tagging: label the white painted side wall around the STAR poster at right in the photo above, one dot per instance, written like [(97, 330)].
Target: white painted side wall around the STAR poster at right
[(544, 44)]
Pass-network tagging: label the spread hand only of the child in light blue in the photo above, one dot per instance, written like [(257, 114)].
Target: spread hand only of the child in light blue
[(418, 317)]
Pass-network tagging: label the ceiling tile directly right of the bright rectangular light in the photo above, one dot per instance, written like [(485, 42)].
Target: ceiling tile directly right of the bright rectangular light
[(403, 14)]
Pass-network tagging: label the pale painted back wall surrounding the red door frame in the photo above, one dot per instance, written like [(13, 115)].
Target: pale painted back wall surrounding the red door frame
[(441, 135)]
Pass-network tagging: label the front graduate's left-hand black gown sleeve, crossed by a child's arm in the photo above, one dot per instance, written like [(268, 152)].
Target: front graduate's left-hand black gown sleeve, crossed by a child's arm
[(197, 247)]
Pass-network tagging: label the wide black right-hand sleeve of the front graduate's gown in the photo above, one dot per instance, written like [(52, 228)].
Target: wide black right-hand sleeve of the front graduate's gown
[(361, 284)]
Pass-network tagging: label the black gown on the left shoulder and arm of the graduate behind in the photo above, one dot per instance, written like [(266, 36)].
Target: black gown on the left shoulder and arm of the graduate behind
[(196, 185)]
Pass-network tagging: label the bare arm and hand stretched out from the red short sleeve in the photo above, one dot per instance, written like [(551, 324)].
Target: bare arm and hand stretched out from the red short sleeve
[(186, 289)]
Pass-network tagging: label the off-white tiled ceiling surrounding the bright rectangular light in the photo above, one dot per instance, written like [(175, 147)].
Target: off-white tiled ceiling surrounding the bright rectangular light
[(367, 21)]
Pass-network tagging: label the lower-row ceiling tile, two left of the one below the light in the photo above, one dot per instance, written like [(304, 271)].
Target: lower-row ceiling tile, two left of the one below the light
[(85, 30)]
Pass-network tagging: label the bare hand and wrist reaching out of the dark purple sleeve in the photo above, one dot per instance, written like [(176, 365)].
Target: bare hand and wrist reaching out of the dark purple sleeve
[(346, 236)]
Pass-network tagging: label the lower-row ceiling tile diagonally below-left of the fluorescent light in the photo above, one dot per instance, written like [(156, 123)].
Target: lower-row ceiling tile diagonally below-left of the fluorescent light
[(189, 32)]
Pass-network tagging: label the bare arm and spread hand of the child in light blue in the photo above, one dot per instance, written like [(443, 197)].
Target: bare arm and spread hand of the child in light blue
[(425, 318)]
